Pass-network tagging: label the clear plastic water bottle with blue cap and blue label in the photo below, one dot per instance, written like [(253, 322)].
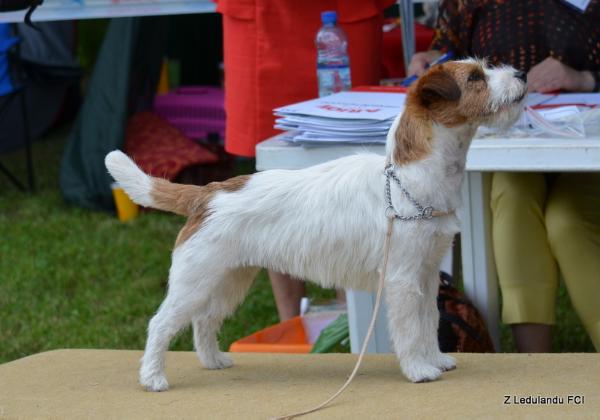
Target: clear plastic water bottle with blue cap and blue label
[(333, 64)]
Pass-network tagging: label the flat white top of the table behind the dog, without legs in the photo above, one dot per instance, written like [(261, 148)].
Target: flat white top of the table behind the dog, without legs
[(530, 154)]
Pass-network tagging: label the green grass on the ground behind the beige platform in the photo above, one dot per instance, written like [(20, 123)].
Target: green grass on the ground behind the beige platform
[(73, 278)]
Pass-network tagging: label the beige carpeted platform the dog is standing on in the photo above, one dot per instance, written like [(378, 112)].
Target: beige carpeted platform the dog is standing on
[(103, 384)]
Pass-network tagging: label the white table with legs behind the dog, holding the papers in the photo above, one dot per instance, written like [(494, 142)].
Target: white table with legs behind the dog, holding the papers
[(485, 155)]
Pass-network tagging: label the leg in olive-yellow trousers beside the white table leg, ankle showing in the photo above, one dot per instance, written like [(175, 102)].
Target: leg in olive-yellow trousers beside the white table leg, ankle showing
[(527, 271)]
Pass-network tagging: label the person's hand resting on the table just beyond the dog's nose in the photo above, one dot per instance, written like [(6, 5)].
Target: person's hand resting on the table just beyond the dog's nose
[(551, 75)]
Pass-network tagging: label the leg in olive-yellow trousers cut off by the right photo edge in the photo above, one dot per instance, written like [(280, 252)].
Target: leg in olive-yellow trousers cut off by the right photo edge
[(573, 222)]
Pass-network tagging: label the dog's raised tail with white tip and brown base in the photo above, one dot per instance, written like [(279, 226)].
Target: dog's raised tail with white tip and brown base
[(152, 192)]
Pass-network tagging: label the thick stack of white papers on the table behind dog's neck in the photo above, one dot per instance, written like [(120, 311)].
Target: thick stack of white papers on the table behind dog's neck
[(346, 117)]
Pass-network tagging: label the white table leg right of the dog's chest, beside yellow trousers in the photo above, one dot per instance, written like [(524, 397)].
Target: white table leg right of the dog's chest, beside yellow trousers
[(479, 271)]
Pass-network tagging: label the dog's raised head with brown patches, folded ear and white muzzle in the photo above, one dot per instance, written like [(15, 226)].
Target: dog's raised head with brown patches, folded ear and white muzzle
[(457, 94)]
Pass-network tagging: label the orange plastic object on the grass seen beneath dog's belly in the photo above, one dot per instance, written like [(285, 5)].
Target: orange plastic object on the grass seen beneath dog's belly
[(285, 337)]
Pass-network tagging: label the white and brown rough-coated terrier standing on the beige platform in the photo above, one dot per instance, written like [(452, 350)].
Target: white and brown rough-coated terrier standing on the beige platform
[(327, 223)]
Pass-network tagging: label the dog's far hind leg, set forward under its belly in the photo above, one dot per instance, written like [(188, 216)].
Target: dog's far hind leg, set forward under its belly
[(227, 293)]
